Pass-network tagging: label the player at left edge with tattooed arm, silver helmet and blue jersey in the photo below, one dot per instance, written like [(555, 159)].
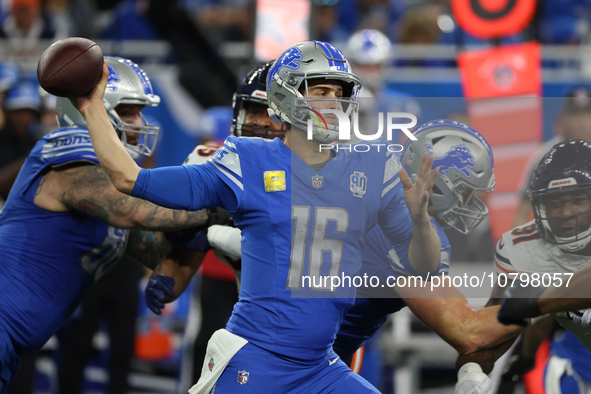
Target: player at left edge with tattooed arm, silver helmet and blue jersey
[(64, 224)]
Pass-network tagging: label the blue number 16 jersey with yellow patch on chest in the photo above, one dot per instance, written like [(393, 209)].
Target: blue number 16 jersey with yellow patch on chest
[(295, 223)]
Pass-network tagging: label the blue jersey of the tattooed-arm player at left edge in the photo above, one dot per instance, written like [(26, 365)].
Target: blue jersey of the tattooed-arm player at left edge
[(49, 259)]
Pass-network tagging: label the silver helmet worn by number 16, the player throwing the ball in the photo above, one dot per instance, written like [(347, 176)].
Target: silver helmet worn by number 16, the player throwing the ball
[(292, 71)]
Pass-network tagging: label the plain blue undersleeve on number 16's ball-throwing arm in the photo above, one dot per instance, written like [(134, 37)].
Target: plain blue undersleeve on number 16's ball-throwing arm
[(184, 187)]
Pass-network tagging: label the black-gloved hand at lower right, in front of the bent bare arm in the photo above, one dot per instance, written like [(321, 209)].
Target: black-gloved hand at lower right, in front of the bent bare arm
[(520, 303)]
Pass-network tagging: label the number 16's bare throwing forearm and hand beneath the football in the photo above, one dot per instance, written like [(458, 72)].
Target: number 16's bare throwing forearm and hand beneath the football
[(113, 156)]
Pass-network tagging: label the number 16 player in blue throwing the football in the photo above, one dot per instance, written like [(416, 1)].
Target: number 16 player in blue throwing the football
[(302, 211)]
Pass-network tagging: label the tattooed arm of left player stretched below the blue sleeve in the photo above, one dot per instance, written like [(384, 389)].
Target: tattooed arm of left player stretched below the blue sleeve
[(88, 190)]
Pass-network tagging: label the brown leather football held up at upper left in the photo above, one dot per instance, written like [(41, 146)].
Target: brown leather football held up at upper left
[(70, 67)]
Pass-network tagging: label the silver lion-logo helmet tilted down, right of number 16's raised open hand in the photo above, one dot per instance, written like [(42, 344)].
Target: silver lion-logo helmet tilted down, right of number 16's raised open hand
[(465, 162)]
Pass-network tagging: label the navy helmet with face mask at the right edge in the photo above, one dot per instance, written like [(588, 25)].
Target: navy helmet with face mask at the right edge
[(565, 168)]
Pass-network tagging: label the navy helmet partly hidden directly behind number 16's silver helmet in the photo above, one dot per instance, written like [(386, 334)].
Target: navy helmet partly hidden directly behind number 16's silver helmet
[(252, 92)]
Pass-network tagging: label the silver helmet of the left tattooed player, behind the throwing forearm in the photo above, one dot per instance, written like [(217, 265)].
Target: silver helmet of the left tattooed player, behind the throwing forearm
[(127, 84)]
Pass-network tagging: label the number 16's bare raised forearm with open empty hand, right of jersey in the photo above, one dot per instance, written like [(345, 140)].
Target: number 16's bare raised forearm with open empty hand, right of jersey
[(425, 246)]
